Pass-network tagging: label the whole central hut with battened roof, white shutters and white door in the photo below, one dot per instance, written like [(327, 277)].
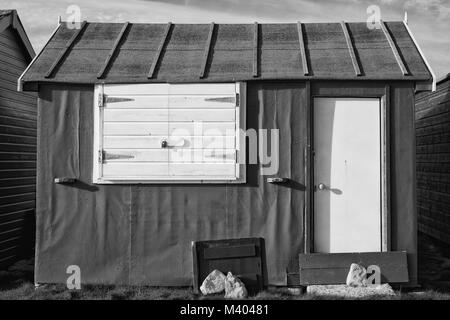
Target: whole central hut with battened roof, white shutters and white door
[(140, 151)]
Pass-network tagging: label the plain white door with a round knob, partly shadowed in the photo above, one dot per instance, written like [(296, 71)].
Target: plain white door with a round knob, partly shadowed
[(347, 175)]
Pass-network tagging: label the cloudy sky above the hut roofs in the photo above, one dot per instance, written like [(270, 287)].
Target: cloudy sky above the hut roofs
[(429, 20)]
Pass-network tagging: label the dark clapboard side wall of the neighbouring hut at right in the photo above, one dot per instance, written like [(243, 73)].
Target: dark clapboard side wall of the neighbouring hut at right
[(433, 161)]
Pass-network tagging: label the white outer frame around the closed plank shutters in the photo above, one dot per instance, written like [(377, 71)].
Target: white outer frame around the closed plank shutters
[(240, 163)]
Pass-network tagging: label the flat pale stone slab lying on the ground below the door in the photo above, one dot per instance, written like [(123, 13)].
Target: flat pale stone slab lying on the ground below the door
[(344, 291)]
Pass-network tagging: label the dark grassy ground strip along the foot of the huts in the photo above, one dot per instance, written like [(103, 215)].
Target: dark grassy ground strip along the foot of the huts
[(17, 283)]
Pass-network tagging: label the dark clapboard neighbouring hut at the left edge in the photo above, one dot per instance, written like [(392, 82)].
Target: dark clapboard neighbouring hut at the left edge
[(18, 112)]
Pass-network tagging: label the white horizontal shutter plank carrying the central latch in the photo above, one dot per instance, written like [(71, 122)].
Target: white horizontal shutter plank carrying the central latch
[(154, 142)]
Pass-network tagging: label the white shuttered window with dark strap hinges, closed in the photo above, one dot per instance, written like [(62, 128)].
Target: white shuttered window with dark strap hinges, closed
[(166, 133)]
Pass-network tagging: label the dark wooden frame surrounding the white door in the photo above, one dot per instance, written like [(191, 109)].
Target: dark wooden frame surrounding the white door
[(349, 89)]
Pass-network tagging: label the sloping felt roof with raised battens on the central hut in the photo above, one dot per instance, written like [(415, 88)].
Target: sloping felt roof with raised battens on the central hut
[(119, 53)]
